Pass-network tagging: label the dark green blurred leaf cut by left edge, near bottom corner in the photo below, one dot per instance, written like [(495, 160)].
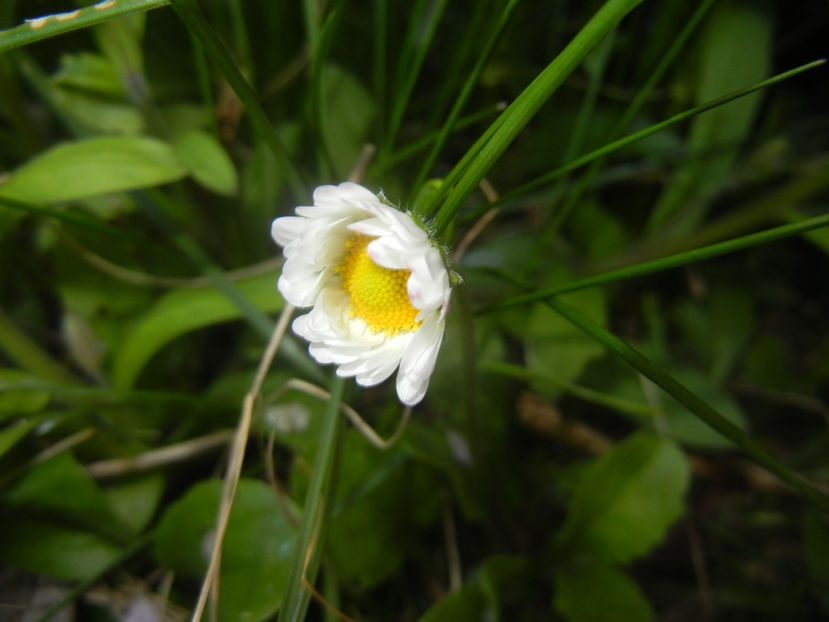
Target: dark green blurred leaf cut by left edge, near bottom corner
[(53, 549)]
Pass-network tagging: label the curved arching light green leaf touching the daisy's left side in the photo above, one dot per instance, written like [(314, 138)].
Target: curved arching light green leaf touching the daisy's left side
[(182, 311)]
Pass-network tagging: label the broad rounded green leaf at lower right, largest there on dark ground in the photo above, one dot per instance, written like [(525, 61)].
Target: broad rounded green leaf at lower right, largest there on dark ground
[(626, 500)]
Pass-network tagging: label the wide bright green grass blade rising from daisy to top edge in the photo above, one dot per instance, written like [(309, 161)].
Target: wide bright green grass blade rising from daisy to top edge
[(519, 113)]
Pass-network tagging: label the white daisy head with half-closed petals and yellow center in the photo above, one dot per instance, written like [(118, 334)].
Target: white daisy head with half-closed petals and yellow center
[(377, 285)]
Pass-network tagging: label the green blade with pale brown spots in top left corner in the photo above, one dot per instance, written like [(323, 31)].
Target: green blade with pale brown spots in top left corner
[(52, 25)]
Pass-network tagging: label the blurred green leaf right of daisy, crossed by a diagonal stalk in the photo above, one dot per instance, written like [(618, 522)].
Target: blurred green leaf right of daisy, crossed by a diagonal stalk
[(555, 347)]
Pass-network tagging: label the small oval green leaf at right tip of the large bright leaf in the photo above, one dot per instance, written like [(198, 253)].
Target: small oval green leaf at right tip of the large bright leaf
[(207, 161)]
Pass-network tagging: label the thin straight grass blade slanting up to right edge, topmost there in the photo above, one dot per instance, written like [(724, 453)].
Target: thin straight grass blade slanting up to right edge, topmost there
[(632, 138)]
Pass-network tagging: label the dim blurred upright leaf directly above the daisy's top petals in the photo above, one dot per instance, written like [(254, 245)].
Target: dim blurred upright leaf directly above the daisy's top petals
[(348, 110)]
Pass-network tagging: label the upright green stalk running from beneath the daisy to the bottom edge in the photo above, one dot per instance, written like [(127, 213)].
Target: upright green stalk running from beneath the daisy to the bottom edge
[(316, 512)]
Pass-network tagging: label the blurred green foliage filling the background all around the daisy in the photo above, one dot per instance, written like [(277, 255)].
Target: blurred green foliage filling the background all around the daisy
[(542, 478)]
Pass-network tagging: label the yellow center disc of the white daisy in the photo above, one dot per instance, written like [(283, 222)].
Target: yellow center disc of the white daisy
[(377, 295)]
